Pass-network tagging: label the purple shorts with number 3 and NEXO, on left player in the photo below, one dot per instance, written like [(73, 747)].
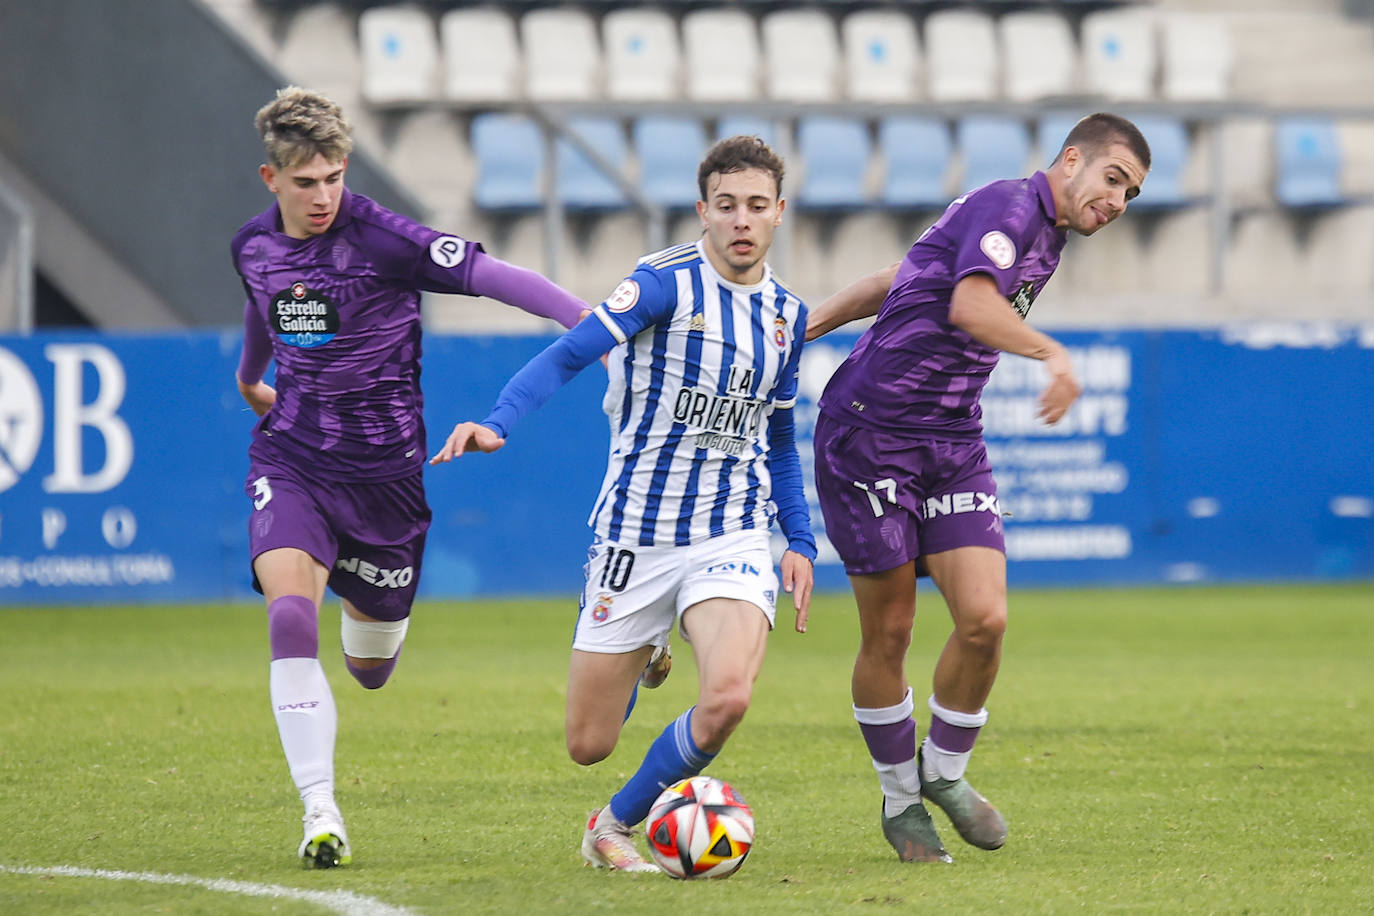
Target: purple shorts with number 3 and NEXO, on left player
[(370, 536)]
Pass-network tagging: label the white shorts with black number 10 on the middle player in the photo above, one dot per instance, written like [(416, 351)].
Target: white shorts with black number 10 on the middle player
[(634, 594)]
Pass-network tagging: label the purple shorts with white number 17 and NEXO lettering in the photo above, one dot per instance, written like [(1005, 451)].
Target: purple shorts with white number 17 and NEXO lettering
[(894, 499)]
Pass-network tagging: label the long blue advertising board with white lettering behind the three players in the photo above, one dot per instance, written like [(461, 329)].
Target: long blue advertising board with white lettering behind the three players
[(1213, 455)]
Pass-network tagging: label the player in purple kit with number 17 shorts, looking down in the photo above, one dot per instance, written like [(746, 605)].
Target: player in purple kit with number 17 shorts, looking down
[(903, 476)]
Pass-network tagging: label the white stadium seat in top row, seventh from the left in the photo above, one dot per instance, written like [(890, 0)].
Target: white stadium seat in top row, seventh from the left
[(881, 56)]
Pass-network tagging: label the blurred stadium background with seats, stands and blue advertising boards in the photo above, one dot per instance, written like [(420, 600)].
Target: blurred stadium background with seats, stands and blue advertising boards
[(1225, 328)]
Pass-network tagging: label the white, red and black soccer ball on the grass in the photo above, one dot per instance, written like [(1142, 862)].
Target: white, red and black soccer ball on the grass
[(701, 829)]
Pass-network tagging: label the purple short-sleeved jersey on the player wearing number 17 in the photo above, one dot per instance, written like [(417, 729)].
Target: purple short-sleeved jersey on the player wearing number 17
[(913, 371)]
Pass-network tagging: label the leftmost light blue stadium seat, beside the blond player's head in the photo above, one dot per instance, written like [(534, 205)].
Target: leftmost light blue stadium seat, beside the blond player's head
[(510, 163)]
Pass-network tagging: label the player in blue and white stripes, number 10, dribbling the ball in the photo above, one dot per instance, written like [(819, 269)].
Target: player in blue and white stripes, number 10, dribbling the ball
[(704, 350)]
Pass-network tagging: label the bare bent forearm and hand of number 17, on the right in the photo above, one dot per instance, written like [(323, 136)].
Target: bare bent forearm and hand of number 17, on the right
[(980, 311)]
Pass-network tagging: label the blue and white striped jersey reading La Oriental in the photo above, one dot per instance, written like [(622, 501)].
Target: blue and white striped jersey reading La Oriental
[(699, 367)]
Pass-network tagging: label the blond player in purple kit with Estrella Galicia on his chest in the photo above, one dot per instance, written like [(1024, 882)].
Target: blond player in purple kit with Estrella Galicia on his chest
[(333, 286)]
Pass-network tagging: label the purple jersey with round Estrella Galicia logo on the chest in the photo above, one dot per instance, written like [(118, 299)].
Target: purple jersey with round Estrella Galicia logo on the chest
[(343, 314)]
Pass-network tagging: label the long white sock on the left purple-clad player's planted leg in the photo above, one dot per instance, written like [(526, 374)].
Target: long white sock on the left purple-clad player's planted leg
[(307, 720)]
